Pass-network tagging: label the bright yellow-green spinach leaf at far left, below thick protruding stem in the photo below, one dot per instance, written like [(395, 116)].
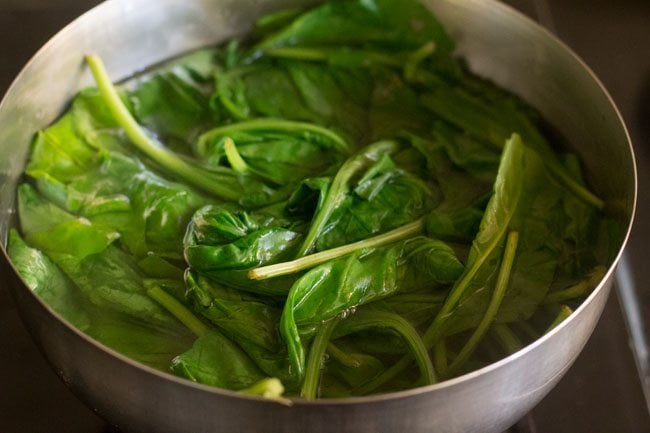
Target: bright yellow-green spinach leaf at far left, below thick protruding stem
[(110, 188)]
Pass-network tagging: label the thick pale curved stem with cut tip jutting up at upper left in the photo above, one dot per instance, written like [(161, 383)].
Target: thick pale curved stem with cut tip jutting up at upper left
[(149, 146)]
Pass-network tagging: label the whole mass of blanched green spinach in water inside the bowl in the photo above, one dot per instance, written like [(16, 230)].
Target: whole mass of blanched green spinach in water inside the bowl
[(321, 206)]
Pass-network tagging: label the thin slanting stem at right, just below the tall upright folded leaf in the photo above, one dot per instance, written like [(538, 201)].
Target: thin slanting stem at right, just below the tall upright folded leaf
[(500, 289)]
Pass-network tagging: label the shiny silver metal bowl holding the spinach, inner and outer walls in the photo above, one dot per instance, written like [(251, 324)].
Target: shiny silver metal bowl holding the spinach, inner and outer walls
[(499, 44)]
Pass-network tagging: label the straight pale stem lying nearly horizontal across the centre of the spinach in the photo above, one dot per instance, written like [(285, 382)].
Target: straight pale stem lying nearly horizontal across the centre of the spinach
[(310, 261)]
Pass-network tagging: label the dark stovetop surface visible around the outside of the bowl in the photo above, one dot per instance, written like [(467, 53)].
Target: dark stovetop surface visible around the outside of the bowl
[(601, 393)]
